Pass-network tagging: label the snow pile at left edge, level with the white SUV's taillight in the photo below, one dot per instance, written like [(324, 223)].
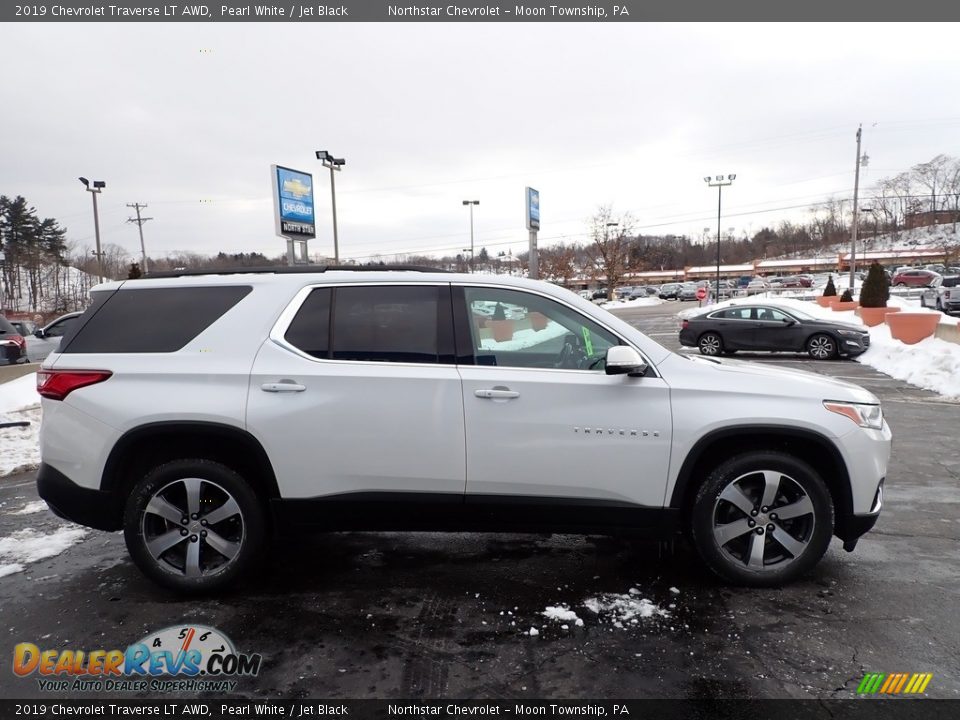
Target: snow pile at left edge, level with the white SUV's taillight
[(19, 446)]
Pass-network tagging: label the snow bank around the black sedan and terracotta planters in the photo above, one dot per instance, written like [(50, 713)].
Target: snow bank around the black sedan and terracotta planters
[(932, 364)]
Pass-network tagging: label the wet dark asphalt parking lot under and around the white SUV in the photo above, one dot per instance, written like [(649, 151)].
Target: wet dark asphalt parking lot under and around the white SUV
[(387, 615)]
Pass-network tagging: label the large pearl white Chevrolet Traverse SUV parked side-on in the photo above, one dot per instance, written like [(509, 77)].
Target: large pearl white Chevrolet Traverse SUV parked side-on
[(200, 413)]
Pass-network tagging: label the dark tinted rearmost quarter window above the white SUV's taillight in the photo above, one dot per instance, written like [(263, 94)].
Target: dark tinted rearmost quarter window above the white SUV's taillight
[(151, 320)]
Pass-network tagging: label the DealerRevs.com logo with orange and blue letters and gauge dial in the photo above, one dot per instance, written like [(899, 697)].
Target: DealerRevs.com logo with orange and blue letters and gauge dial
[(191, 658)]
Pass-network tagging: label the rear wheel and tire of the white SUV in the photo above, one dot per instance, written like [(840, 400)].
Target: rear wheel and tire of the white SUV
[(239, 528)]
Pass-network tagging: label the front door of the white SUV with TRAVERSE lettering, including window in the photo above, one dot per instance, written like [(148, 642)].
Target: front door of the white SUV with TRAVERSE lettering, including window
[(542, 418)]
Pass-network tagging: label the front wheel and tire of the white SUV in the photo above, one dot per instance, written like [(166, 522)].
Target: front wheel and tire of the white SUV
[(714, 518)]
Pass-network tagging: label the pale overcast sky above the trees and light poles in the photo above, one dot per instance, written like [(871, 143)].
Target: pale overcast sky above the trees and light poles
[(428, 115)]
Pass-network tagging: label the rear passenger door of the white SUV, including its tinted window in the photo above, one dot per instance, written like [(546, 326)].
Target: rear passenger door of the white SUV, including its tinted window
[(349, 426)]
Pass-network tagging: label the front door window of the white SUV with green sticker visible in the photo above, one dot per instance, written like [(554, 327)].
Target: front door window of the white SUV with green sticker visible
[(510, 328)]
